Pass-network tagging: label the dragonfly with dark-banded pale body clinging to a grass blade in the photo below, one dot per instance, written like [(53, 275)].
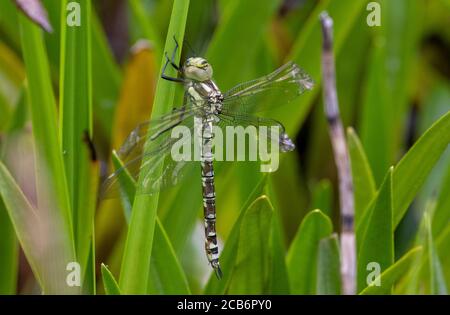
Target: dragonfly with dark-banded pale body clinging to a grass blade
[(147, 150)]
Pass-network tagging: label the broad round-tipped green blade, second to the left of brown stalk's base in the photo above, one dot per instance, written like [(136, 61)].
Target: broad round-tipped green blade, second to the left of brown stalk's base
[(303, 252)]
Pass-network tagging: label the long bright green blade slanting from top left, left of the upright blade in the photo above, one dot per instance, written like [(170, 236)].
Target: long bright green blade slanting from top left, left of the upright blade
[(51, 177)]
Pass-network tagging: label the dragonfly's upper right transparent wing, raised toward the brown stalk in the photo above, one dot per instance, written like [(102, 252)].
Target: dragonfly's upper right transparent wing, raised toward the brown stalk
[(270, 91)]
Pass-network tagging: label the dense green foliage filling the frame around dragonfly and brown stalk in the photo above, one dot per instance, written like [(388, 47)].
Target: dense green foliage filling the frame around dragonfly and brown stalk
[(99, 80)]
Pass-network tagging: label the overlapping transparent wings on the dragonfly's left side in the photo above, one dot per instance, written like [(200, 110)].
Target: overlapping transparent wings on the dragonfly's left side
[(157, 165)]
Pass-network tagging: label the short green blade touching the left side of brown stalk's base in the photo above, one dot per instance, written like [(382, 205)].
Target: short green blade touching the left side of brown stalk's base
[(328, 266)]
